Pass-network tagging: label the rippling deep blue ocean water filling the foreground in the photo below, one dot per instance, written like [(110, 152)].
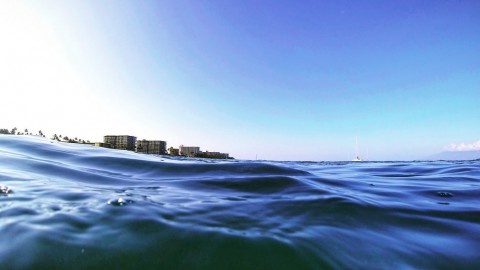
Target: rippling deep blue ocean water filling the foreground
[(68, 206)]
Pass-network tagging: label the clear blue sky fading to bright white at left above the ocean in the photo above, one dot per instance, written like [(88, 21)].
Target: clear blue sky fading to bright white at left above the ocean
[(284, 80)]
